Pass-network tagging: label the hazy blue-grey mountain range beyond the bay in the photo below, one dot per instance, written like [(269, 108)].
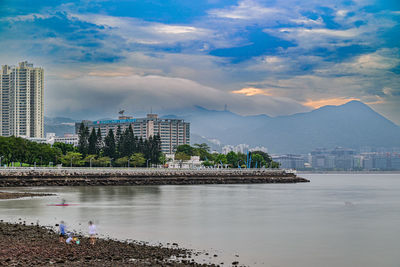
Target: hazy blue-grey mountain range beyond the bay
[(352, 125)]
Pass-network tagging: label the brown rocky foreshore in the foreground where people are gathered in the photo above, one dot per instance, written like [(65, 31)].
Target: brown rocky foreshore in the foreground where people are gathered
[(31, 245)]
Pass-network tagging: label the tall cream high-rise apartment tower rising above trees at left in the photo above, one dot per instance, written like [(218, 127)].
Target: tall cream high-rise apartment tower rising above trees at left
[(21, 101)]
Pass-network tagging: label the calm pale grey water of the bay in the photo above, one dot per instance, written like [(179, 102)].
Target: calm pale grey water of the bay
[(336, 220)]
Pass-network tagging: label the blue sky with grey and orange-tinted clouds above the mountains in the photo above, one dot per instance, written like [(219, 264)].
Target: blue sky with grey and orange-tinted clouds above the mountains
[(257, 57)]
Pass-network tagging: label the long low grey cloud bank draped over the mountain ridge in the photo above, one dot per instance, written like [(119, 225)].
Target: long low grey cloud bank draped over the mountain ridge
[(99, 96)]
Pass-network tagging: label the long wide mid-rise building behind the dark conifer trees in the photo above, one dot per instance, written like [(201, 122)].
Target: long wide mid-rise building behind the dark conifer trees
[(173, 132)]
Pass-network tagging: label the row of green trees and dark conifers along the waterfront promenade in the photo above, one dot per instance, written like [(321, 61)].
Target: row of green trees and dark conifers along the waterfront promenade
[(122, 149)]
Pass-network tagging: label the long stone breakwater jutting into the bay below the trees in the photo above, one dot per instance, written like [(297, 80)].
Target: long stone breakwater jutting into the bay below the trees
[(134, 176)]
